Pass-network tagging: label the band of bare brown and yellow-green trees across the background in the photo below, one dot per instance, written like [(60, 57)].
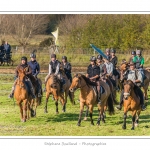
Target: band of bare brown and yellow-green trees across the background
[(120, 31)]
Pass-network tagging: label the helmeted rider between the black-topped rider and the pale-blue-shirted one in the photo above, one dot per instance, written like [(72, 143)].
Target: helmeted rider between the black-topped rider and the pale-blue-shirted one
[(102, 66)]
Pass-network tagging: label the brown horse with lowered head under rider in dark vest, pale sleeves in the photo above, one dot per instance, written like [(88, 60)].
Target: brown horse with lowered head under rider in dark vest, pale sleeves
[(53, 87)]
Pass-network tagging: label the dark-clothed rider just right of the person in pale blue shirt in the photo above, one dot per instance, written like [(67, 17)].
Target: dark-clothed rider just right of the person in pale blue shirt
[(114, 61)]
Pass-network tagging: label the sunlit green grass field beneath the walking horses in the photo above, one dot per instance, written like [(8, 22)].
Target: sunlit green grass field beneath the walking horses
[(63, 124)]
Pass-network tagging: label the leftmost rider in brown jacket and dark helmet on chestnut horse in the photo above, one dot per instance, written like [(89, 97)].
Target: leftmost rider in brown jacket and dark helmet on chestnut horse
[(28, 73)]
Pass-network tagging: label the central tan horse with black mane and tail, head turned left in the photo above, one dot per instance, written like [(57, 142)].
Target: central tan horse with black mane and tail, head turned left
[(88, 97)]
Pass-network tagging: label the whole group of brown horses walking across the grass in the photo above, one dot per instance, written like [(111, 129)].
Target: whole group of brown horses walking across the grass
[(87, 97)]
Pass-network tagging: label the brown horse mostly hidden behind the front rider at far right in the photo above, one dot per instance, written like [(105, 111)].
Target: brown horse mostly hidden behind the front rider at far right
[(123, 69)]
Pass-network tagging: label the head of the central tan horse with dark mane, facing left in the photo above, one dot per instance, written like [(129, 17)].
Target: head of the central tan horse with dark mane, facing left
[(76, 83)]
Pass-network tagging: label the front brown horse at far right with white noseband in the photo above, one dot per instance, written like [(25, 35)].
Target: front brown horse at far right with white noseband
[(131, 103)]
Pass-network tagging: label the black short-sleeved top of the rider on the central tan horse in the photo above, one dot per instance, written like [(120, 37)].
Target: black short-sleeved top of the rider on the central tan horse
[(93, 71)]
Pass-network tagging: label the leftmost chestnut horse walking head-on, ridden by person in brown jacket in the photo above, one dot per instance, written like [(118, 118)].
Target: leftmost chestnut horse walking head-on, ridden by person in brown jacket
[(22, 96)]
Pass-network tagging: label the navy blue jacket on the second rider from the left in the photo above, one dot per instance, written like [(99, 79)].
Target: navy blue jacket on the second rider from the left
[(35, 67)]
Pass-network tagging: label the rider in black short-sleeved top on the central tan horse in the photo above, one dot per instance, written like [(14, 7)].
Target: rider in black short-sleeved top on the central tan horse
[(93, 72)]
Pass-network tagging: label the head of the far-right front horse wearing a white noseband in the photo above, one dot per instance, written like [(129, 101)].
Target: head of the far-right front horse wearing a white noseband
[(128, 86)]
